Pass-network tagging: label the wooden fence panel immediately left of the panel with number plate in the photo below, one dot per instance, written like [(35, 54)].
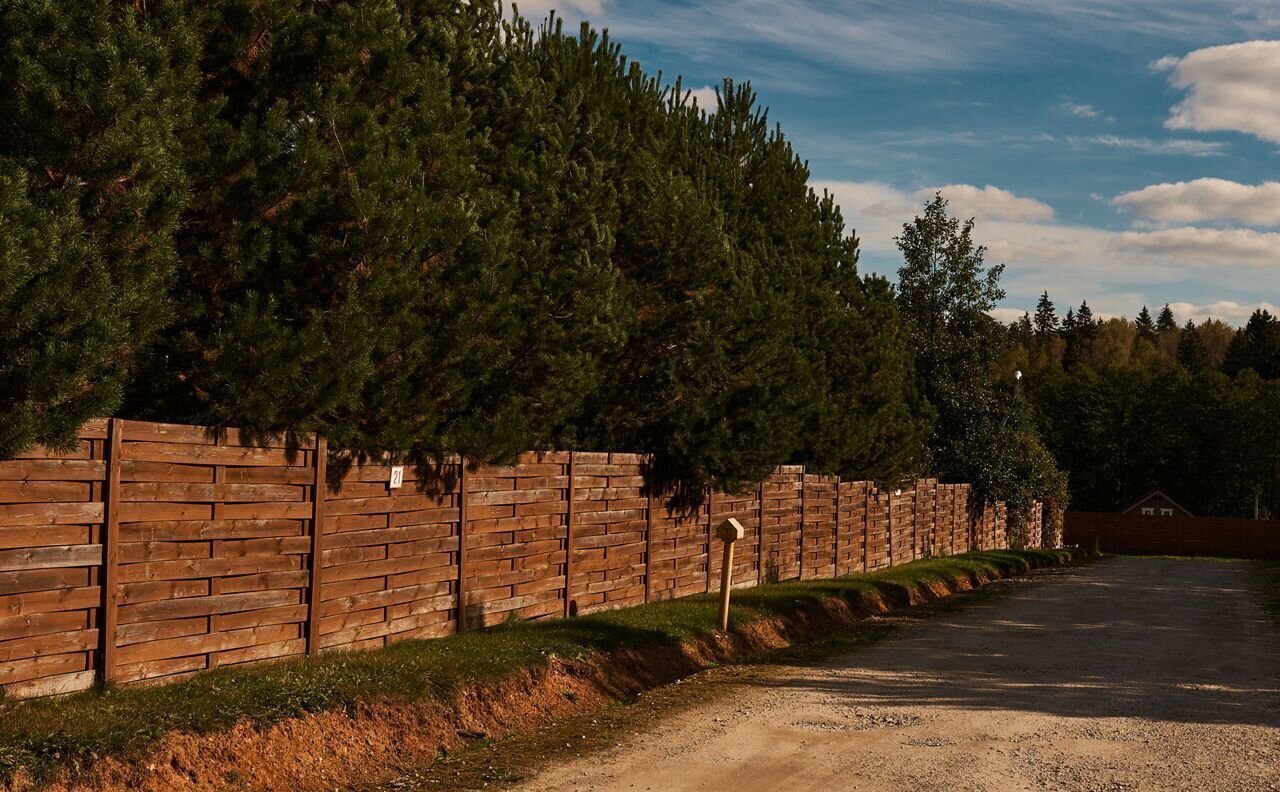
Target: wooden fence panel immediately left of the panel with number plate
[(213, 550)]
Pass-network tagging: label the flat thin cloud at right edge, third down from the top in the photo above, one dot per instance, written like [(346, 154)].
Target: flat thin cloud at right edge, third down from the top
[(1205, 246)]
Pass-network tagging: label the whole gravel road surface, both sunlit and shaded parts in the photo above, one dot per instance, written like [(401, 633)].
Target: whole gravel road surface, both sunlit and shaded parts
[(1124, 675)]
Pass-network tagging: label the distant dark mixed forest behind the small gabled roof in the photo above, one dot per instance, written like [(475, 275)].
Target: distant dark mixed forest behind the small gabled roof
[(1128, 406)]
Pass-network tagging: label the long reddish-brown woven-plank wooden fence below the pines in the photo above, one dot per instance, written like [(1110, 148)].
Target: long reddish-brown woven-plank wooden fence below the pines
[(156, 551)]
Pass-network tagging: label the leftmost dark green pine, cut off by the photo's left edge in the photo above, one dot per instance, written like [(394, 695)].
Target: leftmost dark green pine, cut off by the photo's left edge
[(92, 190)]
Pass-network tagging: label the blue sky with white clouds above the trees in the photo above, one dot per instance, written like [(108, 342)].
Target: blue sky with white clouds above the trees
[(1119, 153)]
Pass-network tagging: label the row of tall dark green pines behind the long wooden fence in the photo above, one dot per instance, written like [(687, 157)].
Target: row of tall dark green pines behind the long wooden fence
[(422, 230)]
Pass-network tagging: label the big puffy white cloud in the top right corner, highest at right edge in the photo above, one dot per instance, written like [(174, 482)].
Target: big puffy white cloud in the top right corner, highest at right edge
[(1233, 88)]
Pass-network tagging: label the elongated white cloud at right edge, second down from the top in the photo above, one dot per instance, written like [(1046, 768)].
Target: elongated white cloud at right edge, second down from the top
[(1206, 200)]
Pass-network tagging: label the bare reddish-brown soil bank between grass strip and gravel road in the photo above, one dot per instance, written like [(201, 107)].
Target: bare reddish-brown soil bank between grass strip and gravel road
[(374, 743)]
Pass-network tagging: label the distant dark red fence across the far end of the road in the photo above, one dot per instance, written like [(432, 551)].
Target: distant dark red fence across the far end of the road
[(1226, 537)]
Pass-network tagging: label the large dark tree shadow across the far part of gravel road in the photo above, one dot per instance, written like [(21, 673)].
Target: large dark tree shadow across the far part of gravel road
[(1162, 639)]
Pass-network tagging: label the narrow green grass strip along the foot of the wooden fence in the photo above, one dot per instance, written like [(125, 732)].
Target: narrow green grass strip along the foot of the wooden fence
[(43, 736)]
